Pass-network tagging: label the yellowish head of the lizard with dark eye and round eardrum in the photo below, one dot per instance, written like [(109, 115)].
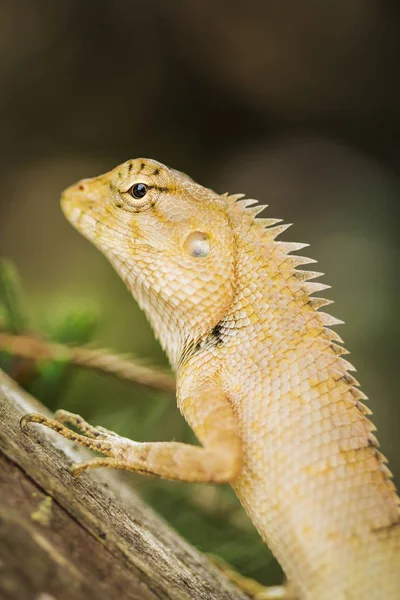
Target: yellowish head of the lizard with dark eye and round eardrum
[(168, 237)]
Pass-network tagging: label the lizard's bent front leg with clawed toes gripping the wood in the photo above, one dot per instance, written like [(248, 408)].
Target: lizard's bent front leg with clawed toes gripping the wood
[(218, 461)]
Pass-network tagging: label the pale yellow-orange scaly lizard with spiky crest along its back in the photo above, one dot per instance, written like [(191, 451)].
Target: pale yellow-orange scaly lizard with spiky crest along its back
[(261, 377)]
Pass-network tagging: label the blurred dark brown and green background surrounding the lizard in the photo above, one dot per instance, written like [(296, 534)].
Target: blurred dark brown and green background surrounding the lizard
[(295, 103)]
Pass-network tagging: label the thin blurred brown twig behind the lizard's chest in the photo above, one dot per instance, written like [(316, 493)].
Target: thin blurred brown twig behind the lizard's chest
[(98, 360)]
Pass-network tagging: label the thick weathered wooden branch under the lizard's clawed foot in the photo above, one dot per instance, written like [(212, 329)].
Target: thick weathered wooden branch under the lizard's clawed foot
[(90, 538)]
